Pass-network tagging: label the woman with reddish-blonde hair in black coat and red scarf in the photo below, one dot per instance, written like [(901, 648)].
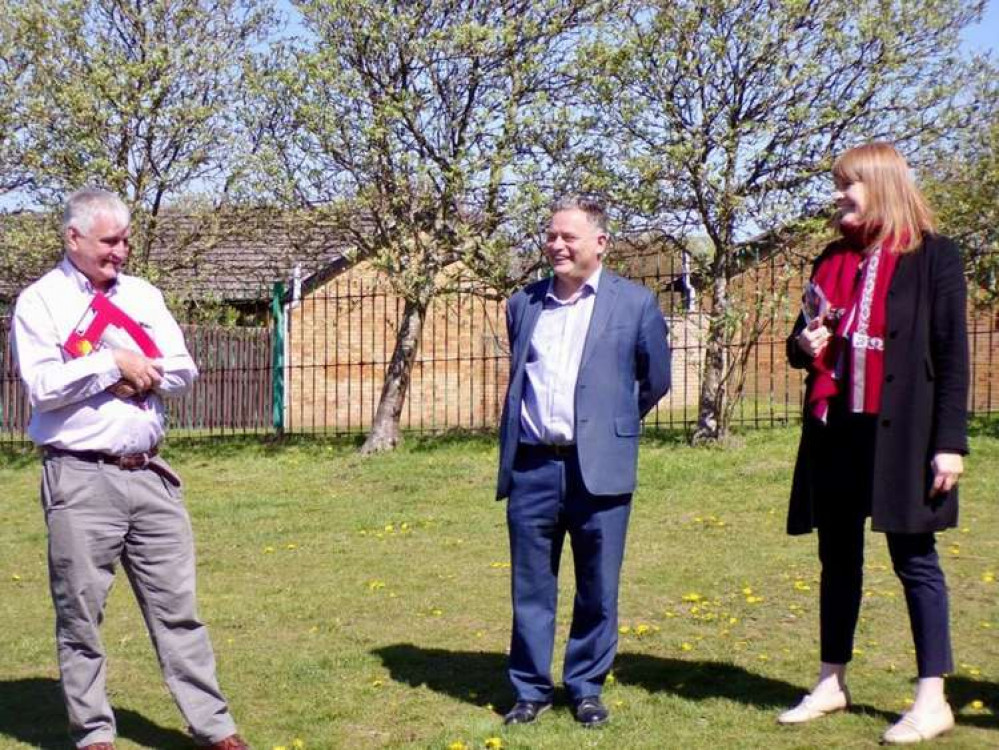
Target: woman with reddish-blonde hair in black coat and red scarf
[(883, 336)]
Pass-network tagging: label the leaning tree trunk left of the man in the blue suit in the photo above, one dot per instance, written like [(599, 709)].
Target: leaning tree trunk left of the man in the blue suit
[(385, 435)]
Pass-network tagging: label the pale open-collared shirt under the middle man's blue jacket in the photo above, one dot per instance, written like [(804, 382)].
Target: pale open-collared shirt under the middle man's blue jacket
[(547, 412)]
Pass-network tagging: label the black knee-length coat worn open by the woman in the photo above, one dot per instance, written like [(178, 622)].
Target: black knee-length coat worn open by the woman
[(924, 397)]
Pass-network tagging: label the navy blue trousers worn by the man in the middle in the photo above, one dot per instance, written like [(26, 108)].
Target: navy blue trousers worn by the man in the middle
[(547, 501)]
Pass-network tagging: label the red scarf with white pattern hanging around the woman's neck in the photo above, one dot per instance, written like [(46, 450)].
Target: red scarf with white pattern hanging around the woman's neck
[(853, 277)]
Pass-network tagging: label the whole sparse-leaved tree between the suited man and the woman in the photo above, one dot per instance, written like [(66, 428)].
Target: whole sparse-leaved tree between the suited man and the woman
[(722, 120)]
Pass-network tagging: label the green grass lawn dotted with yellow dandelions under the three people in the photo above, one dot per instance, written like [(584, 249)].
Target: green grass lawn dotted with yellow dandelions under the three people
[(364, 603)]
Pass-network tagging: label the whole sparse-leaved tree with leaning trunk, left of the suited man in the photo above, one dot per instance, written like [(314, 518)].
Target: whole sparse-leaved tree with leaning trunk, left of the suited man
[(435, 130)]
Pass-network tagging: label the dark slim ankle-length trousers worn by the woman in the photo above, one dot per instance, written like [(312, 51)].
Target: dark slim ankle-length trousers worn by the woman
[(843, 505)]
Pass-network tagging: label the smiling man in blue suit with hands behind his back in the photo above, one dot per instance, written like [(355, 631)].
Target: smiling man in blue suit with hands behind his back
[(588, 359)]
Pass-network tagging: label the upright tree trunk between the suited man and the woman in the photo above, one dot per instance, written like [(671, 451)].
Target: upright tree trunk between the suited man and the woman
[(711, 415)]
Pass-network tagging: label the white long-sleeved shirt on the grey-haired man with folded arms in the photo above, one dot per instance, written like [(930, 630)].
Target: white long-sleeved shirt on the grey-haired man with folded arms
[(71, 407)]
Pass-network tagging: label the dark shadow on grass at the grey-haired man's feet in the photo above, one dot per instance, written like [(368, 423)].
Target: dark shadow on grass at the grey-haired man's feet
[(32, 712)]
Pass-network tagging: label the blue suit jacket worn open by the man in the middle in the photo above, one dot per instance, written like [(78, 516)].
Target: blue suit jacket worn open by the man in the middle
[(624, 371)]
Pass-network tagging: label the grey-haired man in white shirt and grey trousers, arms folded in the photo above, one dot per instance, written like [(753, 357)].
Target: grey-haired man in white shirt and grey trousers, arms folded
[(108, 496)]
